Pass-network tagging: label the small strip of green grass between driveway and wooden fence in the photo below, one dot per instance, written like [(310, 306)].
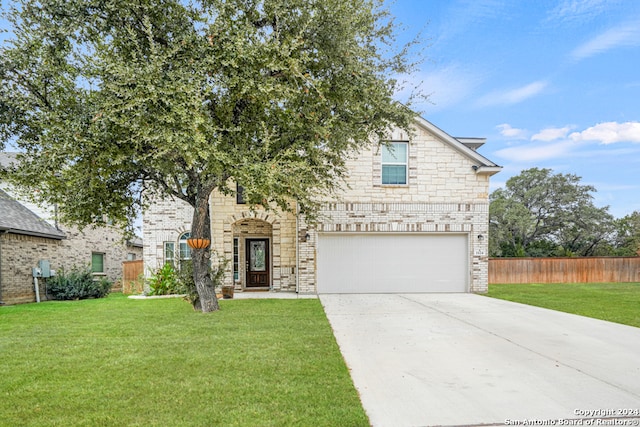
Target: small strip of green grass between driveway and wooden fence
[(615, 302)]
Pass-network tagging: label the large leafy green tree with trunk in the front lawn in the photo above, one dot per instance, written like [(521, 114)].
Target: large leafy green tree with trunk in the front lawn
[(114, 100)]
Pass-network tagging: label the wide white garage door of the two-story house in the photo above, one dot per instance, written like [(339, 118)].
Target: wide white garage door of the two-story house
[(392, 263)]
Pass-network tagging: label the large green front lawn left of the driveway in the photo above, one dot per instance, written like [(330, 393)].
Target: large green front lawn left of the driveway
[(122, 362)]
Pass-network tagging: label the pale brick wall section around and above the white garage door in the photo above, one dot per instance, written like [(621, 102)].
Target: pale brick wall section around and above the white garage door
[(443, 195)]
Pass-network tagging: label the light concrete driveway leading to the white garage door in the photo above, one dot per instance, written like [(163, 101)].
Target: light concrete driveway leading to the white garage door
[(464, 359)]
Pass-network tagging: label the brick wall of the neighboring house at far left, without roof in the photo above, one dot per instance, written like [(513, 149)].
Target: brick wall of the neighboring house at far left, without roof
[(20, 253)]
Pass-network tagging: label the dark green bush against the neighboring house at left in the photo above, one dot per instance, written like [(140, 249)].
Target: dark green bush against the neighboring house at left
[(78, 283)]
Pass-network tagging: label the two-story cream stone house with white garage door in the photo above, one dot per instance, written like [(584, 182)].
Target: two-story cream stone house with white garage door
[(413, 218)]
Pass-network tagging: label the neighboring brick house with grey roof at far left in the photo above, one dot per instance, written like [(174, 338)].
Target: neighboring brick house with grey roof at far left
[(30, 233)]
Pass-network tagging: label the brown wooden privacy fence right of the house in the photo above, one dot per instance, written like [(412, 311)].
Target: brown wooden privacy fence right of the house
[(564, 270)]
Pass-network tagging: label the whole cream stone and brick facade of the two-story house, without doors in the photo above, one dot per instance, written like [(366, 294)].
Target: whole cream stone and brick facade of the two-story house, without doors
[(447, 192)]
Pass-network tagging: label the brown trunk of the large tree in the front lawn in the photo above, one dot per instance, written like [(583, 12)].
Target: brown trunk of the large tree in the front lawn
[(201, 258)]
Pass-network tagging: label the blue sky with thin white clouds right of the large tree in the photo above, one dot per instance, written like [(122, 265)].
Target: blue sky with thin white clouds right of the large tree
[(549, 83)]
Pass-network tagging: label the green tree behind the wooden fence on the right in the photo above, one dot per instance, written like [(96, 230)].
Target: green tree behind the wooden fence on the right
[(540, 213)]
